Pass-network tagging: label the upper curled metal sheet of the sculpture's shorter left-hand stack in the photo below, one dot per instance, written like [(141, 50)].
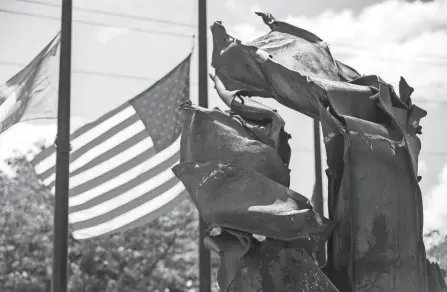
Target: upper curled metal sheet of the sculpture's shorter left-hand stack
[(213, 135)]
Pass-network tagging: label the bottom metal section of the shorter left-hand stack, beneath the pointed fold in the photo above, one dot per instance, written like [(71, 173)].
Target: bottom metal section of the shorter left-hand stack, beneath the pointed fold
[(271, 267)]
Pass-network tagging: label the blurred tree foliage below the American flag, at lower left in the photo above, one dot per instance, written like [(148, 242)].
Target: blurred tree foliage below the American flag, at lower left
[(160, 256)]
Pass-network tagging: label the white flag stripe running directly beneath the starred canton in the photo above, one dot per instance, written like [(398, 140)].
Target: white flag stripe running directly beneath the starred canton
[(79, 197)]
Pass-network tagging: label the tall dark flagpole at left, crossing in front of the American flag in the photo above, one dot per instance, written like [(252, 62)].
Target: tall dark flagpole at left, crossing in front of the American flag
[(60, 235)]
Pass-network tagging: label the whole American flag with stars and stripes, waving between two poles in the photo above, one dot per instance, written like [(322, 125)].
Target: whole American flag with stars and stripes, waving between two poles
[(120, 164)]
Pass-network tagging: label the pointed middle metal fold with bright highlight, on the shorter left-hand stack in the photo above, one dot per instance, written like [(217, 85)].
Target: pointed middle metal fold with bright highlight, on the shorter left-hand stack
[(241, 199)]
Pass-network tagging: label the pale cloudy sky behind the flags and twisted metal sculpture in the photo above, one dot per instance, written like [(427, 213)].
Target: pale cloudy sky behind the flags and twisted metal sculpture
[(114, 61)]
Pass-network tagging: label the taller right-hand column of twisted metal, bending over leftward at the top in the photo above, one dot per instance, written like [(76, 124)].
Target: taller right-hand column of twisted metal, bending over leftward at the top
[(372, 148)]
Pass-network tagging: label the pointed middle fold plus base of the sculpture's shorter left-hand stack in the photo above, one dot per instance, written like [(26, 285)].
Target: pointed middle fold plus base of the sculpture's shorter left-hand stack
[(245, 204)]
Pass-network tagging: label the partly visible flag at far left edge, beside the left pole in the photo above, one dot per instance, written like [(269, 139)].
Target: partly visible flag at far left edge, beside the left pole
[(32, 93)]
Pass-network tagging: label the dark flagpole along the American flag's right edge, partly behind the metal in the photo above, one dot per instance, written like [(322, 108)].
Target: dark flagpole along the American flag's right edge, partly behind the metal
[(204, 254)]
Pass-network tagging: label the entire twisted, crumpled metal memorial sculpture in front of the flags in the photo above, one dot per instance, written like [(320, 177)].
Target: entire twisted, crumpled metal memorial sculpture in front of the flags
[(234, 165)]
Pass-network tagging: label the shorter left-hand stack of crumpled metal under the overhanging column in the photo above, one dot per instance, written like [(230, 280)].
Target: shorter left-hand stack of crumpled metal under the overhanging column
[(235, 168)]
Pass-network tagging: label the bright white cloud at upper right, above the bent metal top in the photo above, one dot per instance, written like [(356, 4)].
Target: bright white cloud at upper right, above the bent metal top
[(390, 39)]
